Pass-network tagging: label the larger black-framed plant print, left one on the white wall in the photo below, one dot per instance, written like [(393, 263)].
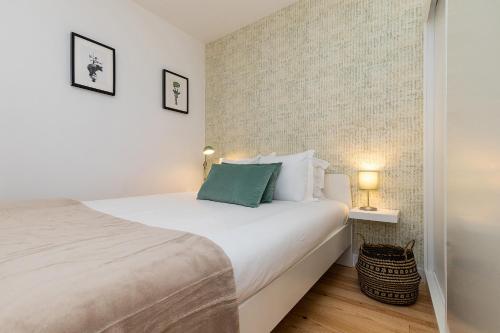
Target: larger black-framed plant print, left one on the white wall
[(92, 65)]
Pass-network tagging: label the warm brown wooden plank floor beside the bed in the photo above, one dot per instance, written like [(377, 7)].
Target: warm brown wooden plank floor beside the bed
[(335, 304)]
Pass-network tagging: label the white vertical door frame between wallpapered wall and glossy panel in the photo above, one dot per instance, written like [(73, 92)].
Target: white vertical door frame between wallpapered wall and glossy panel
[(432, 165)]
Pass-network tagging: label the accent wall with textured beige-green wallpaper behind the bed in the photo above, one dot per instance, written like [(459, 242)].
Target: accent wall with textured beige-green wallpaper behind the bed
[(343, 77)]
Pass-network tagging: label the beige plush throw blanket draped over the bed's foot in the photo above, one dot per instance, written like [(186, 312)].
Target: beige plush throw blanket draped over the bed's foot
[(67, 268)]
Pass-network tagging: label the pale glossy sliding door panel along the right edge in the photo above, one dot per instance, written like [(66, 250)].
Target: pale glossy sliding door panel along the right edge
[(473, 127)]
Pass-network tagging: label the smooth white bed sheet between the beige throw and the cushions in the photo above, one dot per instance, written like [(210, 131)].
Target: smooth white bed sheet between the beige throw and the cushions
[(261, 243)]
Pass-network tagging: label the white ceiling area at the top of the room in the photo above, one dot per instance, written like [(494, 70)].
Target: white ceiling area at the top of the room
[(208, 20)]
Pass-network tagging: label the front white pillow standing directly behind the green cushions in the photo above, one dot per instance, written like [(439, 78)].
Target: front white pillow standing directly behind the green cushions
[(295, 181)]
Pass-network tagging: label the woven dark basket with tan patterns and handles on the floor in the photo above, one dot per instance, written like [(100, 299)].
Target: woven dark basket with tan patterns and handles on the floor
[(388, 273)]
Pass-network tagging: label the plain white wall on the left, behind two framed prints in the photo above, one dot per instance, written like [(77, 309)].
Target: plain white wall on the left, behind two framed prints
[(61, 141)]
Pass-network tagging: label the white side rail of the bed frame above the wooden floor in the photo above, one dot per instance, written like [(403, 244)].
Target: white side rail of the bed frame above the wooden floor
[(263, 311)]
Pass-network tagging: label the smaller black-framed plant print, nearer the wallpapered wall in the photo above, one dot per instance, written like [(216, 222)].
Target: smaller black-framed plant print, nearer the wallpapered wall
[(175, 92)]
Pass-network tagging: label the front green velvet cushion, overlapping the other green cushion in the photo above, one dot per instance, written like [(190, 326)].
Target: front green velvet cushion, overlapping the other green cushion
[(241, 184)]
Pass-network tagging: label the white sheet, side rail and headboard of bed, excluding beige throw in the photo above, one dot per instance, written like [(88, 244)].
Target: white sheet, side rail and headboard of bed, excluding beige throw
[(265, 244)]
